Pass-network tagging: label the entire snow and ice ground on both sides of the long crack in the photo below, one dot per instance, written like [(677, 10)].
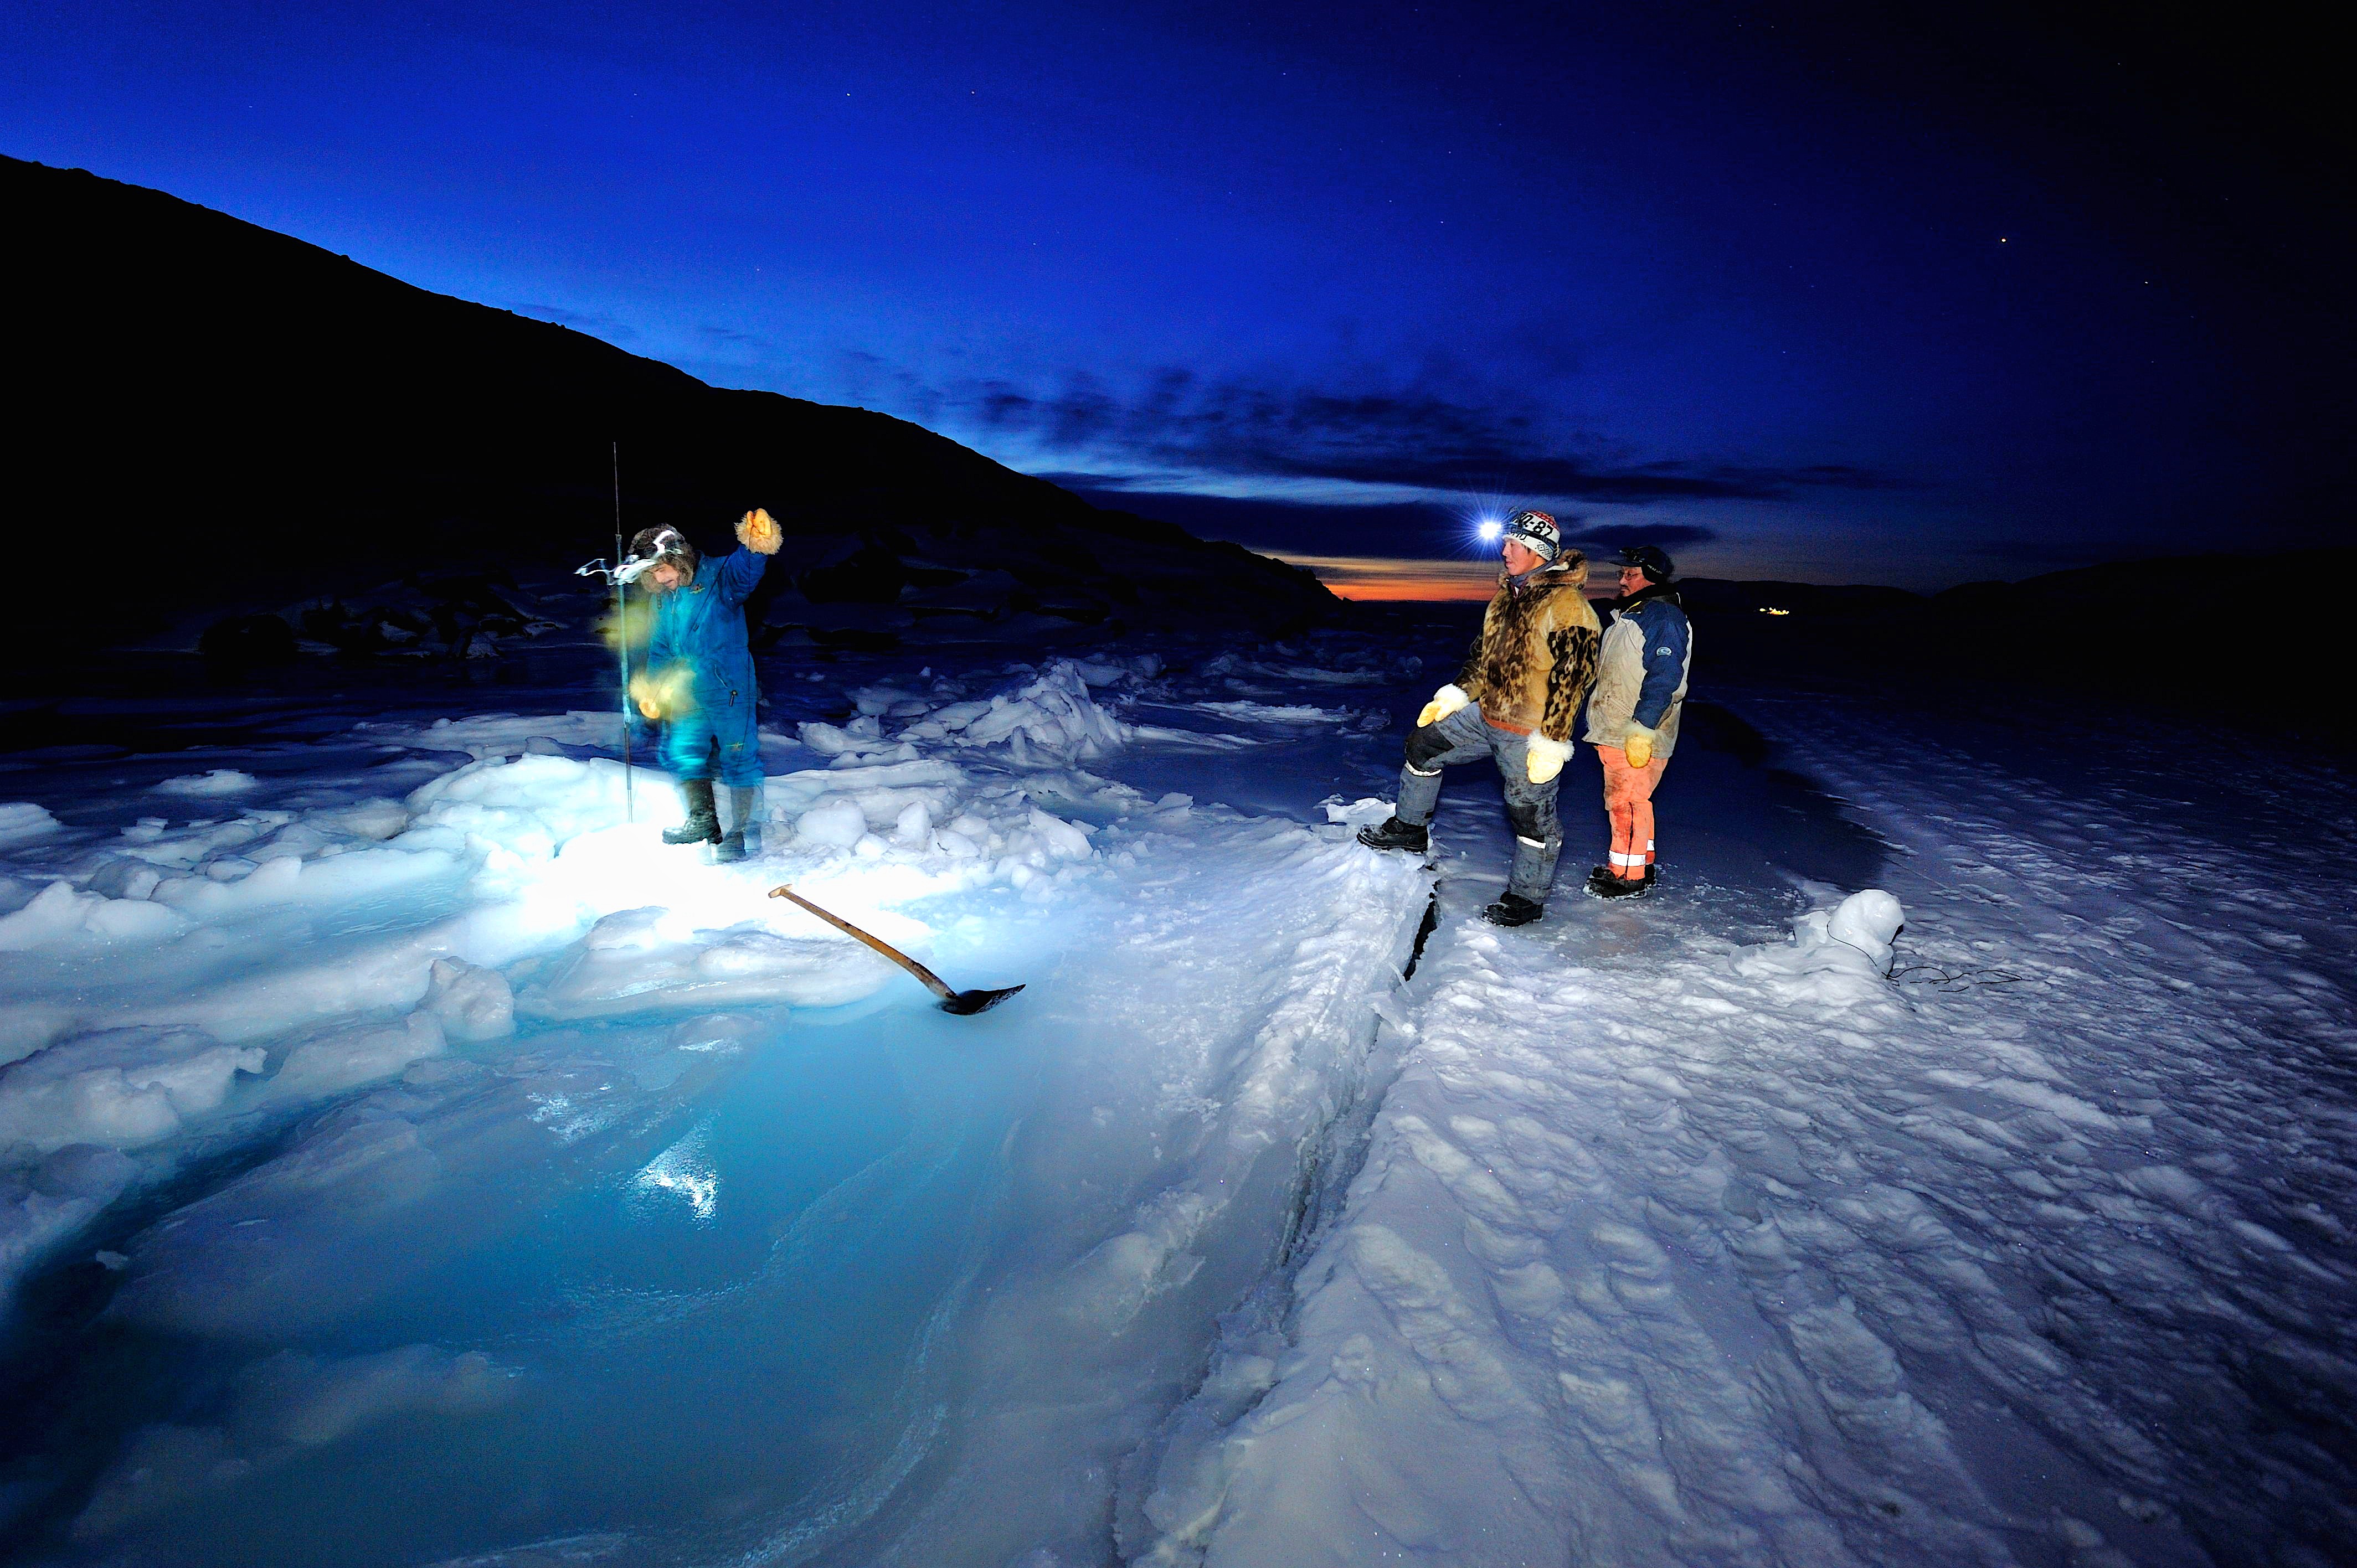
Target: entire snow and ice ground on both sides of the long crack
[(475, 1149)]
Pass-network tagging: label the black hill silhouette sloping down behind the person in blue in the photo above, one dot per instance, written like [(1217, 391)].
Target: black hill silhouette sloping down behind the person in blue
[(216, 416)]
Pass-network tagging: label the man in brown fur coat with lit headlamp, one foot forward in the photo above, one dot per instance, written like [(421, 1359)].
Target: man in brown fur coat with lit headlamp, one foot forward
[(1517, 704)]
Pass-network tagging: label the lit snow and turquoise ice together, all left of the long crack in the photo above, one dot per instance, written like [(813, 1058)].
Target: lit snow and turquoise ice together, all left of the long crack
[(397, 1017)]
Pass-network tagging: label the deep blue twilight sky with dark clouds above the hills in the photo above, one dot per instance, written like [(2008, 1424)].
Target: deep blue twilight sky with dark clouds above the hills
[(1797, 291)]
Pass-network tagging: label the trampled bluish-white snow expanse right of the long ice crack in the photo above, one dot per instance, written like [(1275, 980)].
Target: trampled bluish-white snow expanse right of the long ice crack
[(1684, 1253)]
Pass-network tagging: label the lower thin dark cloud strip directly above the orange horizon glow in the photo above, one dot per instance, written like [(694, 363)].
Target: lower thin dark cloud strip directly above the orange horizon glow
[(1288, 527)]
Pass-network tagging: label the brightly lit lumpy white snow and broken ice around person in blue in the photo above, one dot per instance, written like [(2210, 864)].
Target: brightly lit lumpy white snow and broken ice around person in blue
[(187, 973)]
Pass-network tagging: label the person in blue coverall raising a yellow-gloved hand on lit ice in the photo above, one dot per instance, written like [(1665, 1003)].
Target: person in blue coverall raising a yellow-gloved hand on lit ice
[(699, 678)]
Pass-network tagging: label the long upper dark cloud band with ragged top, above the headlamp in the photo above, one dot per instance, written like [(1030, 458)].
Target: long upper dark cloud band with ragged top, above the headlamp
[(1413, 437)]
